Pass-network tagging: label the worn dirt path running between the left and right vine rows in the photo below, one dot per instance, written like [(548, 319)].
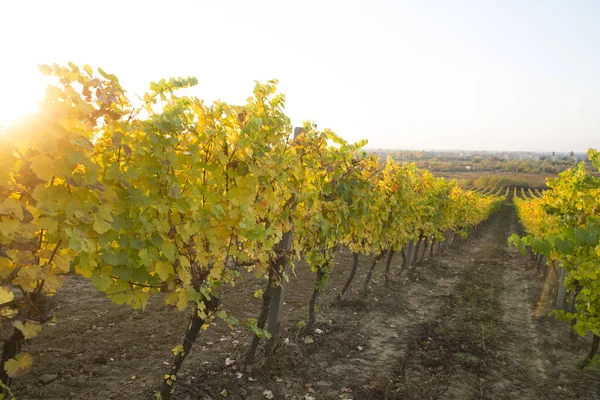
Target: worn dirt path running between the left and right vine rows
[(485, 341)]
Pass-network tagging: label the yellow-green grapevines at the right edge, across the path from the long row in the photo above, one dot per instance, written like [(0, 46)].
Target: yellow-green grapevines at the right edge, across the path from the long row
[(564, 226)]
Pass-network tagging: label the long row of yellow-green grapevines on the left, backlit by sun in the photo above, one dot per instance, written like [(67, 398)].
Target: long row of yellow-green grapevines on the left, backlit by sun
[(175, 196)]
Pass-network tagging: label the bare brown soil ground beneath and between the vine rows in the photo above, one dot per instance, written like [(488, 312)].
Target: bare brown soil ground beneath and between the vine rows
[(470, 323)]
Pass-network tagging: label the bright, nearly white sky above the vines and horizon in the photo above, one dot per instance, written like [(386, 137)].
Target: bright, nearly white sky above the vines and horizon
[(422, 74)]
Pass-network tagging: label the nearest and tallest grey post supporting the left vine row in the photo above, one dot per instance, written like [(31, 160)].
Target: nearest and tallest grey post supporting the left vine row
[(274, 318)]
